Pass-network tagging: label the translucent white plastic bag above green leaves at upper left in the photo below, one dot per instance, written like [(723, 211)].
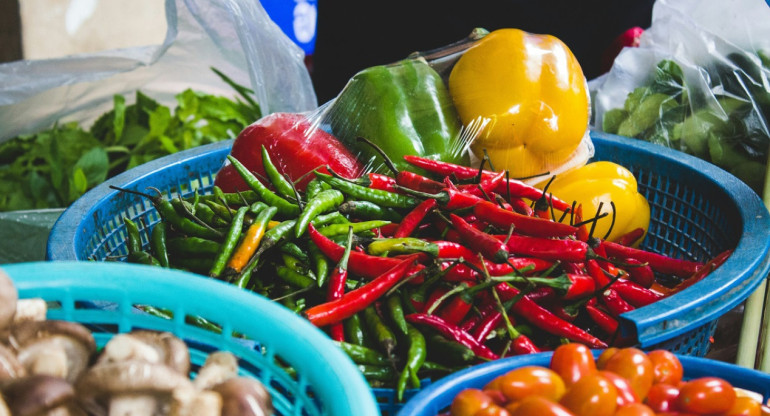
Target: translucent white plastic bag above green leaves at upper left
[(235, 36)]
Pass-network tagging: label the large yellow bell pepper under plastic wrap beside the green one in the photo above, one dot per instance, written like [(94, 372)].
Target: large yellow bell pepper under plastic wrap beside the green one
[(528, 96)]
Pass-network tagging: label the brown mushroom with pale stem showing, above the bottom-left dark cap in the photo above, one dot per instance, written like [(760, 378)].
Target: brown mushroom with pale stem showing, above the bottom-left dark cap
[(53, 347)]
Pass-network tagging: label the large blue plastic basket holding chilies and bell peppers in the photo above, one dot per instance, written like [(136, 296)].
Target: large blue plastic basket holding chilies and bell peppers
[(697, 211)]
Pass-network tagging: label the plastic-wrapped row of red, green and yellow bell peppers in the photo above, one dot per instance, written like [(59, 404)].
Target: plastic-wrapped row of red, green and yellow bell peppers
[(516, 101)]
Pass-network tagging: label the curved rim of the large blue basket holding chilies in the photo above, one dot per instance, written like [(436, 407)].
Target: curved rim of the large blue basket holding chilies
[(721, 291)]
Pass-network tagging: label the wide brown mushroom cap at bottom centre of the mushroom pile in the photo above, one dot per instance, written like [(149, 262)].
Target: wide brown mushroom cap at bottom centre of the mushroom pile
[(100, 382)]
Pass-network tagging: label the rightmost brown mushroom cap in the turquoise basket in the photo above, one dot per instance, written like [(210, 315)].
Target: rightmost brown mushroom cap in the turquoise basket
[(244, 396)]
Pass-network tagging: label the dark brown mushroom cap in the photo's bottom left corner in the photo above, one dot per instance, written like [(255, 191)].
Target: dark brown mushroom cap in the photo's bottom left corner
[(36, 394)]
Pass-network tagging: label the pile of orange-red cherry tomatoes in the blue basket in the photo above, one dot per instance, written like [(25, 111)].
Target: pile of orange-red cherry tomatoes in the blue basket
[(620, 381)]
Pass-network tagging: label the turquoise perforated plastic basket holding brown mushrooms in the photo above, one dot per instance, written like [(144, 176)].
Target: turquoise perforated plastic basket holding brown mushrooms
[(268, 337)]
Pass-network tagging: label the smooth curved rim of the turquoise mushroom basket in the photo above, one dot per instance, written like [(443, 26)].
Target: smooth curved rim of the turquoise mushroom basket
[(333, 377)]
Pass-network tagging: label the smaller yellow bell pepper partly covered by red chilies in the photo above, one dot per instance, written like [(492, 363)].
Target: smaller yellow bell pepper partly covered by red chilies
[(602, 182)]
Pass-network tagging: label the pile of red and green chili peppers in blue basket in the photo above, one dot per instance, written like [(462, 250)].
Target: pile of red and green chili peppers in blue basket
[(417, 276)]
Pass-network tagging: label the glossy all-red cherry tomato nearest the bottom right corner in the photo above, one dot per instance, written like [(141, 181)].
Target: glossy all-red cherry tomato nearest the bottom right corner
[(706, 395)]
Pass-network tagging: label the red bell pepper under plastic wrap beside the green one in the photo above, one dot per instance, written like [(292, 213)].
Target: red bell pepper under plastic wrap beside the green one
[(296, 146)]
